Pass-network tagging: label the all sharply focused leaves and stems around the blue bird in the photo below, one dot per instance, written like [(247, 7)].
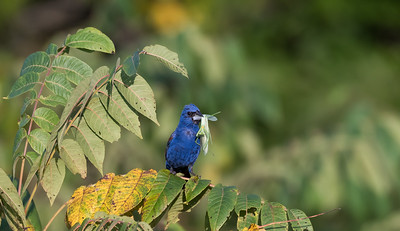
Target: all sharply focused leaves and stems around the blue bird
[(76, 109)]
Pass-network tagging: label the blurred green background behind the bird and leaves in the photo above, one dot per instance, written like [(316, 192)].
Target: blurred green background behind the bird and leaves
[(308, 93)]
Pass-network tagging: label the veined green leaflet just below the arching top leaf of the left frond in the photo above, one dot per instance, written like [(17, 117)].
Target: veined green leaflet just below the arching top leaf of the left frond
[(75, 69)]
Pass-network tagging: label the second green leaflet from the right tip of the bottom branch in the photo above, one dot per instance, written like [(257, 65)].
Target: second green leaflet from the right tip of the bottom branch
[(274, 212)]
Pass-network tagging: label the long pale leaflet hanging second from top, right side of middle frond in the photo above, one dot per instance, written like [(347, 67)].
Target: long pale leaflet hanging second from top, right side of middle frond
[(120, 111)]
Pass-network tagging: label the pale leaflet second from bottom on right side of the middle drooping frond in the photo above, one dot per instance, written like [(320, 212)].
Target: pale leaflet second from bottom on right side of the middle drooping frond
[(73, 156)]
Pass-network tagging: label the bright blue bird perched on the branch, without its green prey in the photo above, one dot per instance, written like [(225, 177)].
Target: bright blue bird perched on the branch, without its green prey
[(182, 148)]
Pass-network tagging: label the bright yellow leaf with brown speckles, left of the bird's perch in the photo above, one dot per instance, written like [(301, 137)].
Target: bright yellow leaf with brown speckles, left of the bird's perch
[(112, 194)]
